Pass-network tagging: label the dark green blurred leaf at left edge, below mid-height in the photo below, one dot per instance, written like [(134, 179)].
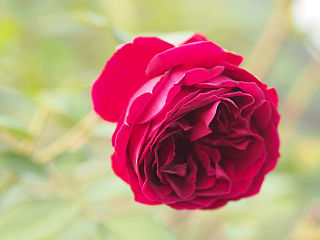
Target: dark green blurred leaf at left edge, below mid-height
[(20, 164)]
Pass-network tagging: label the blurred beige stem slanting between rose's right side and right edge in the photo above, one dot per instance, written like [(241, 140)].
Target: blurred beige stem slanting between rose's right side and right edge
[(299, 97)]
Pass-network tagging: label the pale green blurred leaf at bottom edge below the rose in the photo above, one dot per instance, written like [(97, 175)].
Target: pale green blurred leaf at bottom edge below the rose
[(138, 226)]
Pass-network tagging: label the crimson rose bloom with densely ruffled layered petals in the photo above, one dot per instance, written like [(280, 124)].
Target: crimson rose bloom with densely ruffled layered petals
[(194, 130)]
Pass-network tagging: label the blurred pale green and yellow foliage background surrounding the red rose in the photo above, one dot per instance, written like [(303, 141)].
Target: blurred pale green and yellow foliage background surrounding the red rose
[(56, 180)]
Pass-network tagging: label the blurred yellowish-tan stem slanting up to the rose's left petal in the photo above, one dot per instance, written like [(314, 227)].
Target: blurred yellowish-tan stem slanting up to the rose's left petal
[(71, 140)]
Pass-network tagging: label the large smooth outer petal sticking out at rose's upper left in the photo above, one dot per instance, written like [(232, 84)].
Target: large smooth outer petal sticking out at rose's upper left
[(123, 74)]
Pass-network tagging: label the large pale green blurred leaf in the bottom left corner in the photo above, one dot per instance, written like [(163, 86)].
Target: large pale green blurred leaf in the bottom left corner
[(37, 219)]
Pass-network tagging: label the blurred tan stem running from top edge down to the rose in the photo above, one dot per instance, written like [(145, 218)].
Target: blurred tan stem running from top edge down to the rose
[(271, 39)]
